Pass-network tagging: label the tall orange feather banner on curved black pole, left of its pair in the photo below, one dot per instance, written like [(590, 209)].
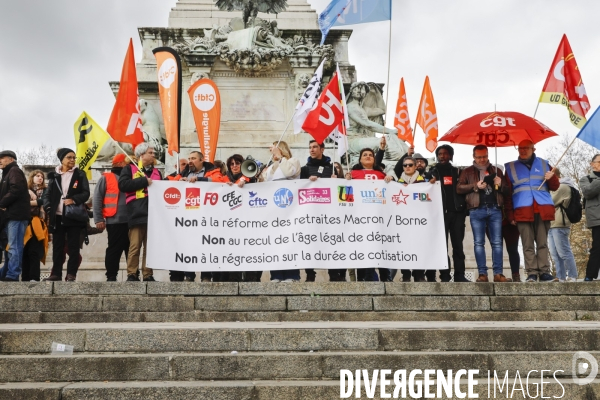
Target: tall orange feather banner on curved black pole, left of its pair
[(168, 66)]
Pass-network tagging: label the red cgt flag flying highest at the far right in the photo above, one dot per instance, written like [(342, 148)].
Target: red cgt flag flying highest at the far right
[(564, 85)]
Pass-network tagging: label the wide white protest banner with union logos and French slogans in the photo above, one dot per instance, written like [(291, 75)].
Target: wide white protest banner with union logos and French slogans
[(330, 223)]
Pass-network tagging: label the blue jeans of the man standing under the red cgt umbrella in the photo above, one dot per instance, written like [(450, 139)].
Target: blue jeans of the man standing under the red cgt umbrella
[(490, 218)]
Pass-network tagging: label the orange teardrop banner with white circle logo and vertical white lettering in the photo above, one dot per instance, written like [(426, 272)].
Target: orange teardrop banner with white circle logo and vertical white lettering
[(206, 107)]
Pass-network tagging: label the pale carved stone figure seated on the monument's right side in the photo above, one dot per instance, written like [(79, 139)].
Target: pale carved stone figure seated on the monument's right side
[(366, 109)]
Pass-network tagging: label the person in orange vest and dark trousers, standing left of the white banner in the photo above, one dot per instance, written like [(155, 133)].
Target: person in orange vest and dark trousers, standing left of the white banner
[(110, 213)]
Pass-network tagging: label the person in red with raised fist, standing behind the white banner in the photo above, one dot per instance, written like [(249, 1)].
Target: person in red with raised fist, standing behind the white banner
[(367, 168)]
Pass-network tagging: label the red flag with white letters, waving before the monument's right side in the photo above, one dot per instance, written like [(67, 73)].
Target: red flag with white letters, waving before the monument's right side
[(327, 113)]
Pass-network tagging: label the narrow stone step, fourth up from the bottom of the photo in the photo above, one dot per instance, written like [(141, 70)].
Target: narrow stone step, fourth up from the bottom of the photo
[(282, 316)]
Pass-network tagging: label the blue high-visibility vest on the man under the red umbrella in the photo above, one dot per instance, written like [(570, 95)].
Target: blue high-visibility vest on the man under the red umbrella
[(526, 182)]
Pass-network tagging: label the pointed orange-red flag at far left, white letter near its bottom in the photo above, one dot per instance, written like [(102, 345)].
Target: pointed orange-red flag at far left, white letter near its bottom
[(125, 123)]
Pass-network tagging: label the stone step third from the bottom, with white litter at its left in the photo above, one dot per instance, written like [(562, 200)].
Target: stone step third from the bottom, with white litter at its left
[(304, 336)]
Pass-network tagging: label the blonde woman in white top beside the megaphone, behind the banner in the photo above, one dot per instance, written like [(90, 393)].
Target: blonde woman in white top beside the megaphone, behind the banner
[(284, 167)]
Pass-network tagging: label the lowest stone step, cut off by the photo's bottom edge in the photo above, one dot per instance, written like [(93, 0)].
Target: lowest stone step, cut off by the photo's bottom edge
[(256, 390)]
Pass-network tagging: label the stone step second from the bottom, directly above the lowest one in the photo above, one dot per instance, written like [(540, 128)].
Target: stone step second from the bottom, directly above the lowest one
[(268, 365)]
